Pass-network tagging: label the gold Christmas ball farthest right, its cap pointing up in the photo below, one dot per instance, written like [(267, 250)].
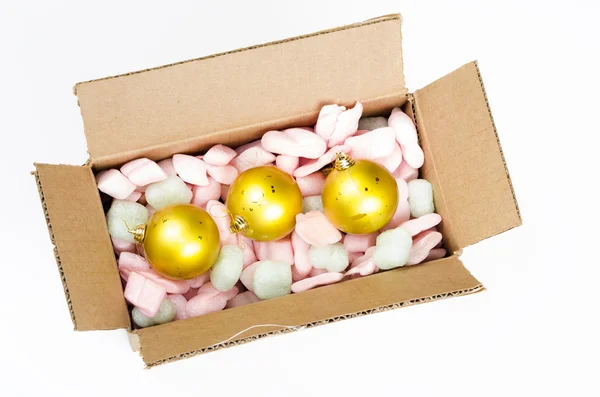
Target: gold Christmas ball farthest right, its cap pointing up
[(359, 196)]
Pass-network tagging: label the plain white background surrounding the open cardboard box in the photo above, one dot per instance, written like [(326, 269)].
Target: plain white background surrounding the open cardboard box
[(533, 332)]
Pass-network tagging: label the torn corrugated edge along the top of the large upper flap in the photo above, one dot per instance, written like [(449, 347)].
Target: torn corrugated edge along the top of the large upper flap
[(371, 21)]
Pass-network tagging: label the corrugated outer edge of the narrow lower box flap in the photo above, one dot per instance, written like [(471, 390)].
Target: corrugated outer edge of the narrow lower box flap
[(134, 340)]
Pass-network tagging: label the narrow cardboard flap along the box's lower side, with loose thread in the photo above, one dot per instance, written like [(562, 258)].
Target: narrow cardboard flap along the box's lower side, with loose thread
[(386, 290)]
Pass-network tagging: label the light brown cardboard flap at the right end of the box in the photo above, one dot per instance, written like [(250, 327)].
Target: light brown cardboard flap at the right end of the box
[(472, 187)]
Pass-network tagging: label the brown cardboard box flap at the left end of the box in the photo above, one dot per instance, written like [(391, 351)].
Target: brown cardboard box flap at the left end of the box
[(82, 246)]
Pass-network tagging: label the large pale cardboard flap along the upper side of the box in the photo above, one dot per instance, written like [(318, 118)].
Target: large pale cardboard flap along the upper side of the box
[(127, 116)]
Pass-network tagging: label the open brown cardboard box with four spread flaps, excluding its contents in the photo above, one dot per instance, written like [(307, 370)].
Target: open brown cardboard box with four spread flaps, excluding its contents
[(235, 97)]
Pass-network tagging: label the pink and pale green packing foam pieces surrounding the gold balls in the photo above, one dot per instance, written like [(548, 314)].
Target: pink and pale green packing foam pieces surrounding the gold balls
[(314, 255)]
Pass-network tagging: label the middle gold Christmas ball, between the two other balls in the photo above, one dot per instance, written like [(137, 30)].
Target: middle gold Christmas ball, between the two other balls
[(263, 203)]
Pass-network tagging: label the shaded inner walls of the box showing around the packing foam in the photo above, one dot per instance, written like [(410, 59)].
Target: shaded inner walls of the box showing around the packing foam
[(376, 107)]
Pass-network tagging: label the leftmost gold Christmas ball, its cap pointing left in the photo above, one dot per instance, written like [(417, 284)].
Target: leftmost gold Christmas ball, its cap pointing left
[(181, 241)]
